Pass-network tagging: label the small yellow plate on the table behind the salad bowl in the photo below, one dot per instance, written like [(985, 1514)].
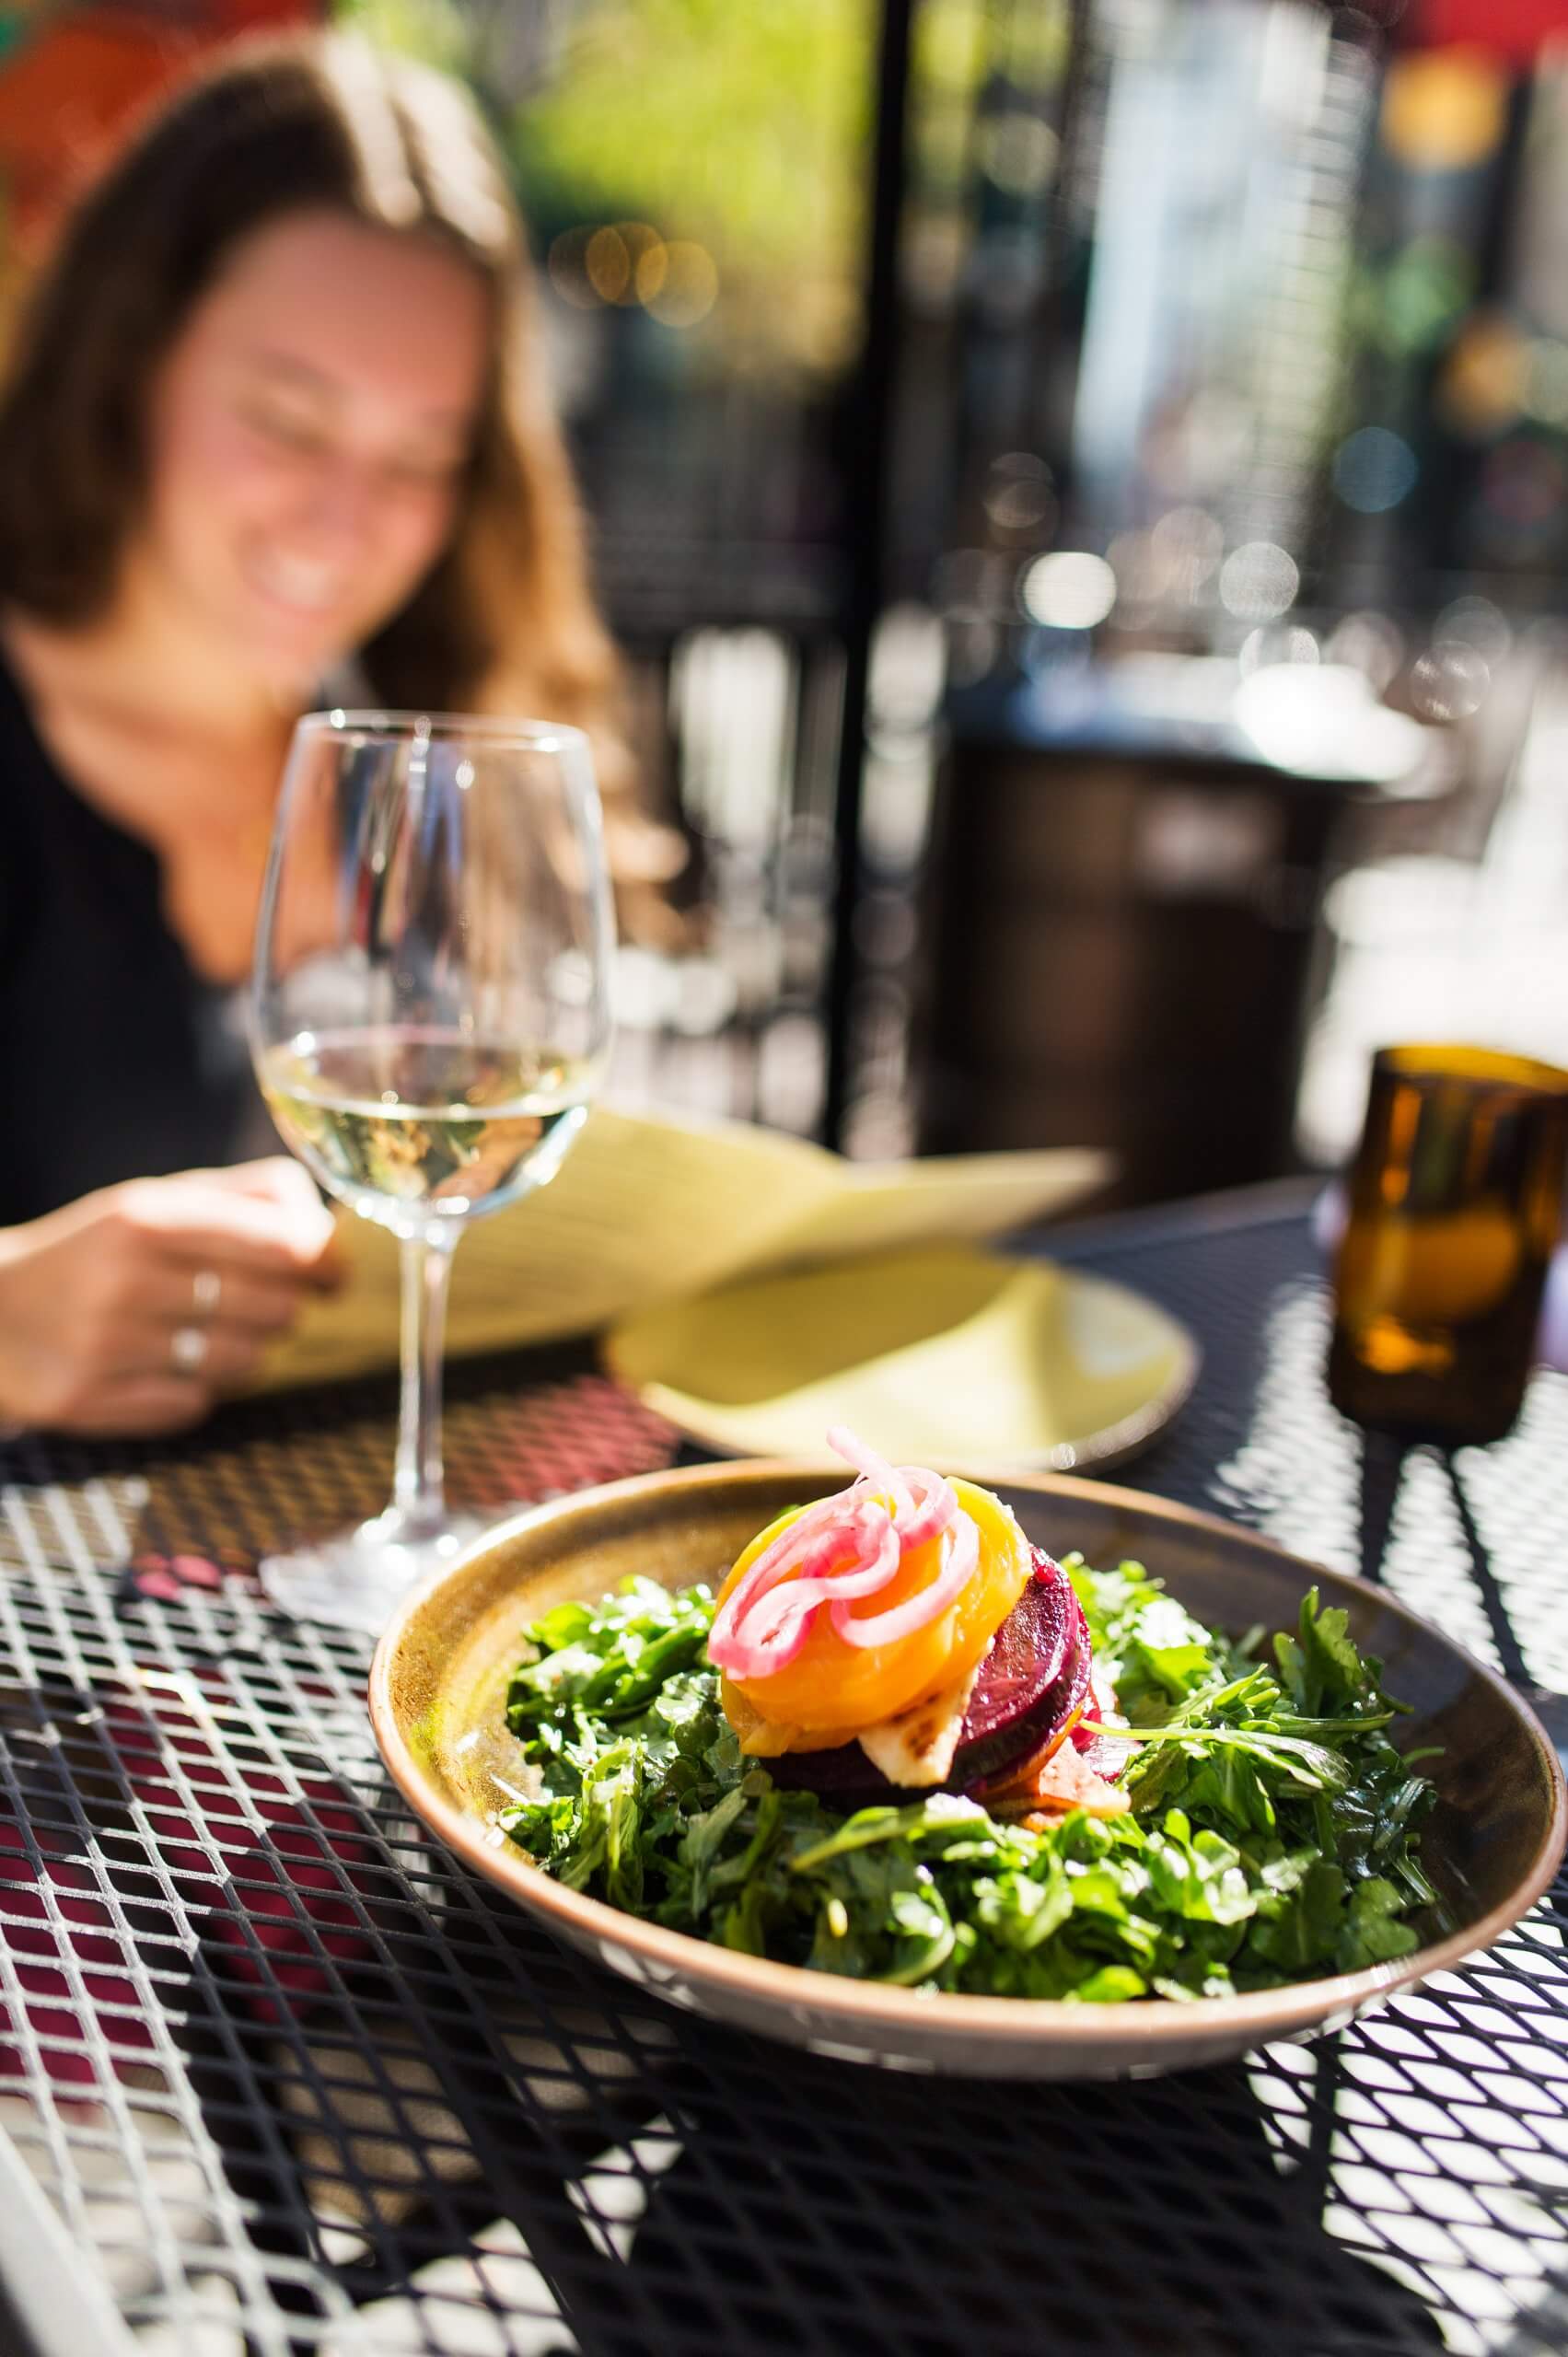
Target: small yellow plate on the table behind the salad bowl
[(935, 1356)]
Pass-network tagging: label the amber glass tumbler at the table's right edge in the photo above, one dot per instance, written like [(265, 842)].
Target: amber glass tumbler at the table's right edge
[(1456, 1203)]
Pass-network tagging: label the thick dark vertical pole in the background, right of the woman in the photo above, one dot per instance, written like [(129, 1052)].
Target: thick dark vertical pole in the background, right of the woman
[(867, 466)]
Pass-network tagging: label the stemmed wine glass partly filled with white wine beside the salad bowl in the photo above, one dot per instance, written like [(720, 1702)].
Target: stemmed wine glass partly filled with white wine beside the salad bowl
[(430, 1024)]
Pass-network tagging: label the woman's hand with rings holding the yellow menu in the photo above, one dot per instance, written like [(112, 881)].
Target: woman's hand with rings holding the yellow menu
[(136, 1309)]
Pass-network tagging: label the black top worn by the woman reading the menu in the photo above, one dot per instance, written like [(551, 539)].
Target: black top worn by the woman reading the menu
[(117, 1059)]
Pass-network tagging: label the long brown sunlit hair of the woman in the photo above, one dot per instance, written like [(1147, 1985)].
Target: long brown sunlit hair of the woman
[(279, 128)]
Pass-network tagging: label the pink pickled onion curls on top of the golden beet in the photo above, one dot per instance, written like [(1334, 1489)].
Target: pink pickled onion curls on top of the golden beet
[(838, 1552)]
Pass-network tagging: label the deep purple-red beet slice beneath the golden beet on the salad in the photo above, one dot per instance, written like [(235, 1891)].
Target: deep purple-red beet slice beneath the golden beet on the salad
[(1032, 1679)]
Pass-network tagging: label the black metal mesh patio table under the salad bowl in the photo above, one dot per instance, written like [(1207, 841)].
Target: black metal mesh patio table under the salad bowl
[(282, 2078)]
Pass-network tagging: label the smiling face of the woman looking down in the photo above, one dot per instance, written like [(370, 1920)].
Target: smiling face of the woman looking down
[(308, 442)]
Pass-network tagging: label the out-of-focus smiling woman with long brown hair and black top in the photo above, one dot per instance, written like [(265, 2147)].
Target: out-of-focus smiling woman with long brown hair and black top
[(275, 435)]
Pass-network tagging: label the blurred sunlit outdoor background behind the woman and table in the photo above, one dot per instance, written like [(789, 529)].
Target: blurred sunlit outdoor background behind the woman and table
[(1083, 491)]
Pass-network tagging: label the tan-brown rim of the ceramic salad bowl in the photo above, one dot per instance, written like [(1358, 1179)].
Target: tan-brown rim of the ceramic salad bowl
[(869, 2005)]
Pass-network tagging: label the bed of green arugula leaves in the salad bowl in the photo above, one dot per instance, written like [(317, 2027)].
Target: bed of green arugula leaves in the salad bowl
[(1272, 1833)]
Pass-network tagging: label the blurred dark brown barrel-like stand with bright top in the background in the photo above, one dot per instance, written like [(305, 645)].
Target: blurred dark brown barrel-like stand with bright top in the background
[(1124, 913)]
